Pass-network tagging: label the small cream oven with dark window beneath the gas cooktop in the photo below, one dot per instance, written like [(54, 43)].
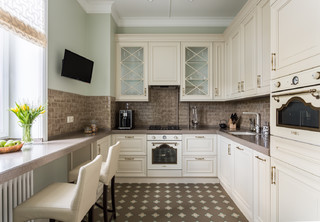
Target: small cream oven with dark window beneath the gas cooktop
[(164, 152)]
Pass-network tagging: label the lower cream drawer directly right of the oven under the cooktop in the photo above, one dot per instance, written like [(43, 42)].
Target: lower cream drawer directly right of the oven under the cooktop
[(199, 166)]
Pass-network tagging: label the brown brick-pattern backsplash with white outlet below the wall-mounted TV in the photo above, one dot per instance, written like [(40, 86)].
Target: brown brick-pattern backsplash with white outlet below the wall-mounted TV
[(85, 109)]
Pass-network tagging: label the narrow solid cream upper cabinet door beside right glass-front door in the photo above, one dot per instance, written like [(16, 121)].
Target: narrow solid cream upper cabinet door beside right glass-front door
[(218, 70)]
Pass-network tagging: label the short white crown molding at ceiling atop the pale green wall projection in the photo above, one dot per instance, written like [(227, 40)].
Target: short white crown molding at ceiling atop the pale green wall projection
[(97, 6)]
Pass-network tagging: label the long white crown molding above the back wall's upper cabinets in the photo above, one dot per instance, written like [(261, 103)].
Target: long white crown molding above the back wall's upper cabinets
[(173, 22)]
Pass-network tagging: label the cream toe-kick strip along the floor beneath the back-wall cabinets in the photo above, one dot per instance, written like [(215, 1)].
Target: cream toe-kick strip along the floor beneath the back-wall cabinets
[(166, 180)]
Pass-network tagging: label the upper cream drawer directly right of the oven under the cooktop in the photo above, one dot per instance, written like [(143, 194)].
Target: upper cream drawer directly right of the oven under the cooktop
[(199, 144)]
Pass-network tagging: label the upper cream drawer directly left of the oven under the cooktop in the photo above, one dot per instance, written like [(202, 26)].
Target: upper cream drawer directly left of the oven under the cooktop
[(131, 144)]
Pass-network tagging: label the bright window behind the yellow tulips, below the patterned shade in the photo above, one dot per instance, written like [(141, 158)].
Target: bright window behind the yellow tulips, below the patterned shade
[(22, 80)]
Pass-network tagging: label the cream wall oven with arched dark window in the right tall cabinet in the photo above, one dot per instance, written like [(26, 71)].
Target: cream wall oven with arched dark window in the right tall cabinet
[(295, 107)]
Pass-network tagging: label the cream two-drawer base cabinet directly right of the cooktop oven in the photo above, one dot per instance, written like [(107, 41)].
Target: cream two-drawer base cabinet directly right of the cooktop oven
[(199, 155)]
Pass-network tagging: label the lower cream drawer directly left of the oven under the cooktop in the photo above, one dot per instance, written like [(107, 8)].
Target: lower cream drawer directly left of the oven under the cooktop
[(132, 166)]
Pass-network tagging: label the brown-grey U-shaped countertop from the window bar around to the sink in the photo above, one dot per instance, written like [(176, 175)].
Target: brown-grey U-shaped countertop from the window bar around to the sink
[(39, 154)]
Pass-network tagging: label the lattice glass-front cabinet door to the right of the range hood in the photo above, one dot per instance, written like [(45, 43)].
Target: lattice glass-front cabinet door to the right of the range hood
[(196, 71)]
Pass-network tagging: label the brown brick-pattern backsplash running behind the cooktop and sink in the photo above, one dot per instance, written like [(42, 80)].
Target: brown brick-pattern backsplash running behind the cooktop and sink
[(164, 108)]
